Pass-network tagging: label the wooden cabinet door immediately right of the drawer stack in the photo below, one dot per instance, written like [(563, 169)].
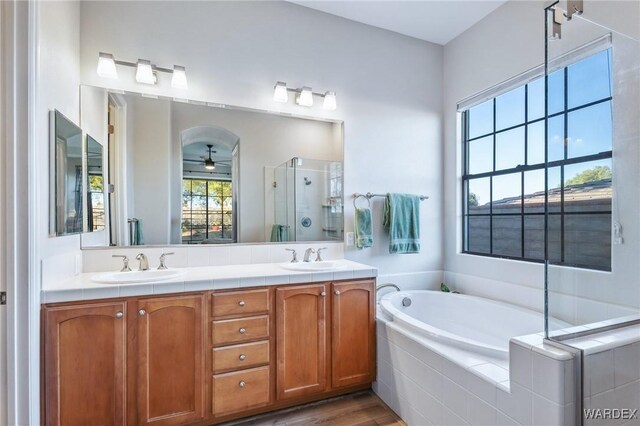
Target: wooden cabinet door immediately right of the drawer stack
[(301, 340)]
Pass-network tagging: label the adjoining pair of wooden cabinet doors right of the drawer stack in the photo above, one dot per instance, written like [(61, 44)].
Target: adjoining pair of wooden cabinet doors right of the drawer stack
[(320, 351)]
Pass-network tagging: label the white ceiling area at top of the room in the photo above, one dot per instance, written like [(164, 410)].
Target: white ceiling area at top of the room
[(437, 21)]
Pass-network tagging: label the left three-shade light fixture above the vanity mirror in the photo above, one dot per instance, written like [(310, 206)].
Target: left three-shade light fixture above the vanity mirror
[(145, 71)]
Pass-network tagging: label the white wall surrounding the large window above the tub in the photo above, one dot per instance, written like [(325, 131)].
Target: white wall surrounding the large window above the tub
[(505, 44)]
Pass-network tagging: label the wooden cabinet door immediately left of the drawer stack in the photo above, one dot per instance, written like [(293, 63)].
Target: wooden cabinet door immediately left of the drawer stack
[(170, 354)]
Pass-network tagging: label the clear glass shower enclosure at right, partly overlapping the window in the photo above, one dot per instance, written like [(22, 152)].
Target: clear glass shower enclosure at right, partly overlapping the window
[(592, 207)]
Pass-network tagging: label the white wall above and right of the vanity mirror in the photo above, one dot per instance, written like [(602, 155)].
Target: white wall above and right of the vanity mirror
[(388, 86)]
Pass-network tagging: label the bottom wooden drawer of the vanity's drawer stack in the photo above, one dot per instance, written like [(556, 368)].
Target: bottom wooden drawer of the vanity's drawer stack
[(240, 390)]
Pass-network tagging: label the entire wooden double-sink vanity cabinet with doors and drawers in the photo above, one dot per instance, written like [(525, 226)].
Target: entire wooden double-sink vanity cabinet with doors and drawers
[(206, 357)]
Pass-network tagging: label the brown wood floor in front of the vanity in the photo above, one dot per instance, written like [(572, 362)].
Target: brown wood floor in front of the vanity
[(358, 409)]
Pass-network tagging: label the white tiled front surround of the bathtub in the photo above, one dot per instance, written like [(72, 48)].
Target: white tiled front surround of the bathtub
[(430, 383)]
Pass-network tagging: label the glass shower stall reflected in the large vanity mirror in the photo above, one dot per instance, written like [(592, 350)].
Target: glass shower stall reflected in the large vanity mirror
[(307, 201)]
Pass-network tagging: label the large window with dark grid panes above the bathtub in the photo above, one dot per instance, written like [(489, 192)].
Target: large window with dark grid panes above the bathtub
[(504, 169)]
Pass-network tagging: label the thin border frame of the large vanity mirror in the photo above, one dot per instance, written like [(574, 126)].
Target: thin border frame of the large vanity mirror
[(237, 108)]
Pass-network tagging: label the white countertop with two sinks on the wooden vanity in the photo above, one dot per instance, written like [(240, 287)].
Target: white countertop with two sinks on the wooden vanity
[(81, 287)]
